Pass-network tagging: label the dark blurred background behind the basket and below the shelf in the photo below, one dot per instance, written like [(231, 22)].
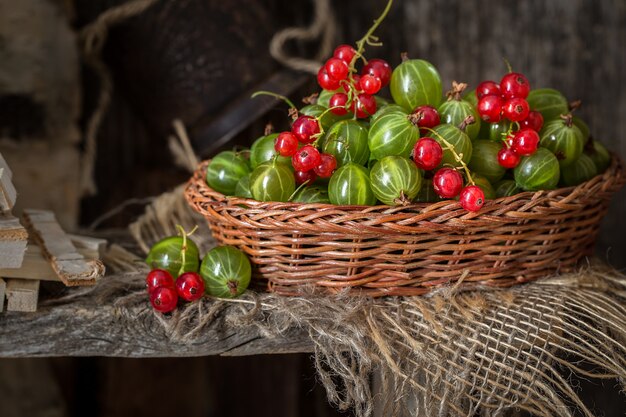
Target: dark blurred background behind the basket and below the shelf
[(64, 61)]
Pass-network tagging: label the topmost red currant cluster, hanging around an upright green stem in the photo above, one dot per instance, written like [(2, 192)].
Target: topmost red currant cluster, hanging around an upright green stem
[(359, 90)]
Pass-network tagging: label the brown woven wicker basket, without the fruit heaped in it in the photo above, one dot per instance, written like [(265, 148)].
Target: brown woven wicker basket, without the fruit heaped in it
[(410, 250)]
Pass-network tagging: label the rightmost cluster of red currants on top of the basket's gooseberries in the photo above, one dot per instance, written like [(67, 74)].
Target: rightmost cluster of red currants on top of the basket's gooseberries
[(508, 100)]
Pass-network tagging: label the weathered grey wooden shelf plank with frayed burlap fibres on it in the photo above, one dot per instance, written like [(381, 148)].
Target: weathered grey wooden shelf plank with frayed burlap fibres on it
[(89, 326)]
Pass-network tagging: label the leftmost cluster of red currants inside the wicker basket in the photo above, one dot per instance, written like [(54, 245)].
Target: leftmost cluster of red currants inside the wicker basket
[(308, 162)]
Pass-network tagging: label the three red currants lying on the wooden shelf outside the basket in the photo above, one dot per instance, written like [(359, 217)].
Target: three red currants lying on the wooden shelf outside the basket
[(164, 291)]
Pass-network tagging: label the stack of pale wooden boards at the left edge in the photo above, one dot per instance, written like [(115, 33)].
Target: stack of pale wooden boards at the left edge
[(37, 249)]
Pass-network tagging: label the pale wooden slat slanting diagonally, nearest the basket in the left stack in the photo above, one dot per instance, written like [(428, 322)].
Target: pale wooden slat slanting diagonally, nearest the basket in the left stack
[(71, 267)]
